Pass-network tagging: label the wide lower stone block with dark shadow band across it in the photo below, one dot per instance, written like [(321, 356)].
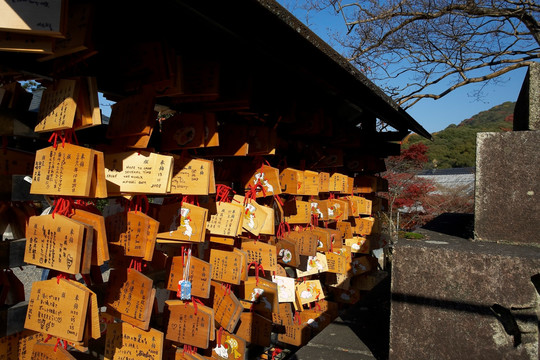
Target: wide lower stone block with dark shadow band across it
[(457, 299)]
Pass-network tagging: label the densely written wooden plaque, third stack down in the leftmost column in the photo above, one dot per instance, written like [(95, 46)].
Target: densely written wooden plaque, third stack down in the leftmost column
[(55, 243)]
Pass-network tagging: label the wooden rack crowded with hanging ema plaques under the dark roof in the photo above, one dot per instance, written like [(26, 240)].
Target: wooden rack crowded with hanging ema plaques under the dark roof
[(174, 233)]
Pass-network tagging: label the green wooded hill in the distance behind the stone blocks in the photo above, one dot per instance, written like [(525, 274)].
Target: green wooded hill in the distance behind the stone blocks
[(455, 146)]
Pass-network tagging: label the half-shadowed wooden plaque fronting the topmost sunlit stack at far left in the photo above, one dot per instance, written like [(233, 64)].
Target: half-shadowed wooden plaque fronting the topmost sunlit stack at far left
[(58, 106)]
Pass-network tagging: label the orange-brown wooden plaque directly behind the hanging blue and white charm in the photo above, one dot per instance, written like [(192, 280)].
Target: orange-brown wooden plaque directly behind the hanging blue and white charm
[(199, 276)]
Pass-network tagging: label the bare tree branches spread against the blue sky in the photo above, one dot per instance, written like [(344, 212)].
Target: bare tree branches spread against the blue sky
[(416, 49)]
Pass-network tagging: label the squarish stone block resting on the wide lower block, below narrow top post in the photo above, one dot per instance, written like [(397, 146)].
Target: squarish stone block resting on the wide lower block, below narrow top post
[(507, 199)]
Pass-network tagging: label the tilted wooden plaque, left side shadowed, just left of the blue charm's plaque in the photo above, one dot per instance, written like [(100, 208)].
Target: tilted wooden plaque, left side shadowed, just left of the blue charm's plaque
[(130, 293)]
